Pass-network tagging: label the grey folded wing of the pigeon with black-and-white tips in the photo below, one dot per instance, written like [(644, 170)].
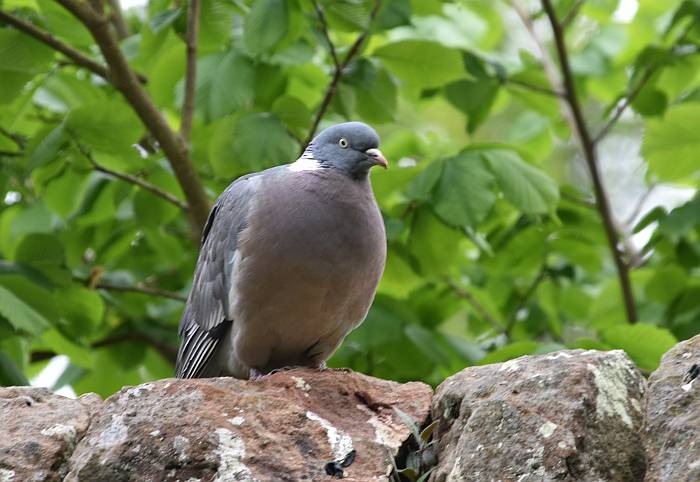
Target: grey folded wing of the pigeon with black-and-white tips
[(204, 322)]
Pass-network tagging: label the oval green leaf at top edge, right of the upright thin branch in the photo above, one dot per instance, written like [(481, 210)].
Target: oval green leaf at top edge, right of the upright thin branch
[(265, 25)]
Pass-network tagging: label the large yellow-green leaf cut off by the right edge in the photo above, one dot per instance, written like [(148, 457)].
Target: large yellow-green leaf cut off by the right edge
[(671, 144)]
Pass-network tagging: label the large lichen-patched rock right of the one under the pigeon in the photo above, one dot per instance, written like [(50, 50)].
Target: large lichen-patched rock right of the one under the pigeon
[(570, 415)]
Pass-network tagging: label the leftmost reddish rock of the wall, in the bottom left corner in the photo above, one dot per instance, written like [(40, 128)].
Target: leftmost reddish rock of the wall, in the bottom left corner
[(38, 432)]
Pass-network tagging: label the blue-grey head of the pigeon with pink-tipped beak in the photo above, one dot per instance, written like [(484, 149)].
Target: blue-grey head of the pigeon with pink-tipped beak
[(351, 147)]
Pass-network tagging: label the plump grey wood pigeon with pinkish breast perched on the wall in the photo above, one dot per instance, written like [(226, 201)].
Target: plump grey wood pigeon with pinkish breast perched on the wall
[(289, 262)]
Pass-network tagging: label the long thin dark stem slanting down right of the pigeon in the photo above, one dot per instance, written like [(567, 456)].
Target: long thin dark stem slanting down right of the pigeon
[(589, 155)]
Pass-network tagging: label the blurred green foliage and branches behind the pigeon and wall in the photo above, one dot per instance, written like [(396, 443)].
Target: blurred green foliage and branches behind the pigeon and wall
[(499, 243)]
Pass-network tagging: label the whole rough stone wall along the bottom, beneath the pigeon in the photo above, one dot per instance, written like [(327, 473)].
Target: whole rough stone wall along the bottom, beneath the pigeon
[(564, 416)]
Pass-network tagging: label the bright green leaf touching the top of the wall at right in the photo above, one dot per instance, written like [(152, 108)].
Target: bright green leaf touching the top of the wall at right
[(645, 344)]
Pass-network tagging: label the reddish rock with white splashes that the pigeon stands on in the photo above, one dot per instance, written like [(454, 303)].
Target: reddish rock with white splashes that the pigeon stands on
[(285, 427)]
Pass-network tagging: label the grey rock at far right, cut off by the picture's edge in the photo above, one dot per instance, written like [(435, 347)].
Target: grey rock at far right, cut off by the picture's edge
[(672, 433)]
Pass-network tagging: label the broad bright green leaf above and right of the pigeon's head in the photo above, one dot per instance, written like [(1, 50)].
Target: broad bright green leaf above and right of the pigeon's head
[(422, 62)]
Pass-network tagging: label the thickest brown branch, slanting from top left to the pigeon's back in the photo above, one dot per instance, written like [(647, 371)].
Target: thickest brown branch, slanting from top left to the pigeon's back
[(124, 79)]
